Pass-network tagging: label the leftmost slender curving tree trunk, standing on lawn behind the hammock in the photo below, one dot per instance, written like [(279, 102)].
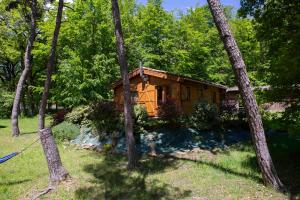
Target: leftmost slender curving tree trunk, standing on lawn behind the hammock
[(25, 72)]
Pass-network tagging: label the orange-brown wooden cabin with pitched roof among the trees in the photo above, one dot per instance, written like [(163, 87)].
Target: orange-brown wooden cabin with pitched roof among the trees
[(151, 87)]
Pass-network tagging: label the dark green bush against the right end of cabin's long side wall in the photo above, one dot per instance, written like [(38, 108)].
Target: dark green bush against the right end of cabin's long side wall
[(204, 117)]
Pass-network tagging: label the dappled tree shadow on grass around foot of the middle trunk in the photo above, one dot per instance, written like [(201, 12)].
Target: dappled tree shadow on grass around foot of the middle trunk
[(111, 180)]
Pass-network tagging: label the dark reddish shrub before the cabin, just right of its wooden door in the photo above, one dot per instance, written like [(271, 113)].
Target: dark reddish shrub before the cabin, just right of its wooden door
[(170, 112)]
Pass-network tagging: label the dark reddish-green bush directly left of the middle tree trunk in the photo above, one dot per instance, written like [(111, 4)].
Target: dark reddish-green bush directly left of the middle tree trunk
[(105, 118)]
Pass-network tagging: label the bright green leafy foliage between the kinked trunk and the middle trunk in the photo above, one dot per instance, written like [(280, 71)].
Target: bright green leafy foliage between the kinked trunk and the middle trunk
[(88, 64)]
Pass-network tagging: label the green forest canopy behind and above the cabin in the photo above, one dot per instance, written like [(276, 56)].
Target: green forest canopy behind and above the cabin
[(186, 43)]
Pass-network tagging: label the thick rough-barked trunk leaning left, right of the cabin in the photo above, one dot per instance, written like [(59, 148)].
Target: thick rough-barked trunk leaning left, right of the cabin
[(264, 159)]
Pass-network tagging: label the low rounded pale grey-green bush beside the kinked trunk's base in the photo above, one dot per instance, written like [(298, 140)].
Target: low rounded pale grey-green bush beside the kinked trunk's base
[(65, 132)]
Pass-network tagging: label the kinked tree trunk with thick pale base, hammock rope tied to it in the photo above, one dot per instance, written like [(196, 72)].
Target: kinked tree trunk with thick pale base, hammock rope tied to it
[(57, 172)]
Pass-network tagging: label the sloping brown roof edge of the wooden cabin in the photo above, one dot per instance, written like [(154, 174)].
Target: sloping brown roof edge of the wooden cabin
[(167, 75)]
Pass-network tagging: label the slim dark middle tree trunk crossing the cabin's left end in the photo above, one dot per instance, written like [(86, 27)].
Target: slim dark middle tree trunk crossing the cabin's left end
[(131, 149)]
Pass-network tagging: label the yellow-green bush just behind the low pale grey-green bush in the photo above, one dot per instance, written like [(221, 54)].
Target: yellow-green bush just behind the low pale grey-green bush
[(79, 115)]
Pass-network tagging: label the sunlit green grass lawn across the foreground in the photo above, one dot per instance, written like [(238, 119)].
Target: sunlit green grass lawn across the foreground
[(228, 175)]
